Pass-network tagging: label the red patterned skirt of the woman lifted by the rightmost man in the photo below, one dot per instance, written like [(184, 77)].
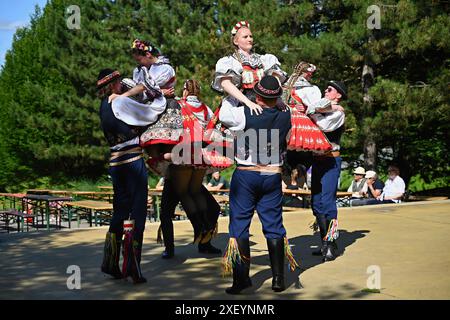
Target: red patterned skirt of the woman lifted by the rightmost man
[(305, 135)]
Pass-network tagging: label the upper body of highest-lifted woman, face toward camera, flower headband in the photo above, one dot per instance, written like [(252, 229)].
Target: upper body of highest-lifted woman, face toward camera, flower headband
[(238, 73)]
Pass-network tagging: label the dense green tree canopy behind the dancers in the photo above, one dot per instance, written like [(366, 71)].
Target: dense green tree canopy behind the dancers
[(398, 75)]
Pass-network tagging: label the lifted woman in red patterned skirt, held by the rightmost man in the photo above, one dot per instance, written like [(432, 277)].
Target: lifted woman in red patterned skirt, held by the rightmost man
[(303, 98)]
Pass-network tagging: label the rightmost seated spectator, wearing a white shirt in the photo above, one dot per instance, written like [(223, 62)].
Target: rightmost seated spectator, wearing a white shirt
[(393, 190)]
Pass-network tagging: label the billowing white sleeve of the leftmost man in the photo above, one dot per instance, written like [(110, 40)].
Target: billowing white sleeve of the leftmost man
[(135, 113)]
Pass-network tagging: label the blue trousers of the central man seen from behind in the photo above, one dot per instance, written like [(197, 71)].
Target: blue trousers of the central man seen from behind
[(250, 190)]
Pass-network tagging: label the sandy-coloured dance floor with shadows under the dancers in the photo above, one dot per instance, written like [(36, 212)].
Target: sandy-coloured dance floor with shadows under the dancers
[(406, 242)]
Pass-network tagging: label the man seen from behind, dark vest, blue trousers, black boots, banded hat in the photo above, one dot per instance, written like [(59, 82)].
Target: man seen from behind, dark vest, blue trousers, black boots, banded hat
[(256, 184)]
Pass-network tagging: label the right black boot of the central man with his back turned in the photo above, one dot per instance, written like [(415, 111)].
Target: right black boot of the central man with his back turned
[(276, 253)]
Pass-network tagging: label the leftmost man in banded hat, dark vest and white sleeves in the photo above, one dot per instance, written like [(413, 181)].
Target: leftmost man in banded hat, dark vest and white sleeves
[(122, 128)]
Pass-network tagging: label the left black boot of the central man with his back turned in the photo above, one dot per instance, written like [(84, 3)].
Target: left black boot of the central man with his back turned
[(241, 278)]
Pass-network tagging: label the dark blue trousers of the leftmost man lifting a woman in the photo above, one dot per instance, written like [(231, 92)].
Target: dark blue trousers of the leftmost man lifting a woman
[(130, 183)]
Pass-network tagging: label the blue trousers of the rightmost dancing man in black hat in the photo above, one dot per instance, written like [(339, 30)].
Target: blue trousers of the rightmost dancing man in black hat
[(324, 183)]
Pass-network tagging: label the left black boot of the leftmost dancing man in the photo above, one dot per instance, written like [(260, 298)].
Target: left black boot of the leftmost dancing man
[(111, 255)]
